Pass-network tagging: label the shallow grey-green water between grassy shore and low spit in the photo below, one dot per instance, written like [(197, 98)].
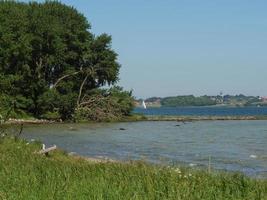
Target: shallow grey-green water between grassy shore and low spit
[(232, 145)]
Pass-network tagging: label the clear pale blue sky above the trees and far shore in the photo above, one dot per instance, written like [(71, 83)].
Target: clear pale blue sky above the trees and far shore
[(182, 47)]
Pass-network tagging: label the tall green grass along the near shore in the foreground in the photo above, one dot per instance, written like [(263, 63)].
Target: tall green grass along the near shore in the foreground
[(27, 175)]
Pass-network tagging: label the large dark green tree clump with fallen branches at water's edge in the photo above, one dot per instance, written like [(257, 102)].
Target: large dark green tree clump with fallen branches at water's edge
[(51, 65)]
